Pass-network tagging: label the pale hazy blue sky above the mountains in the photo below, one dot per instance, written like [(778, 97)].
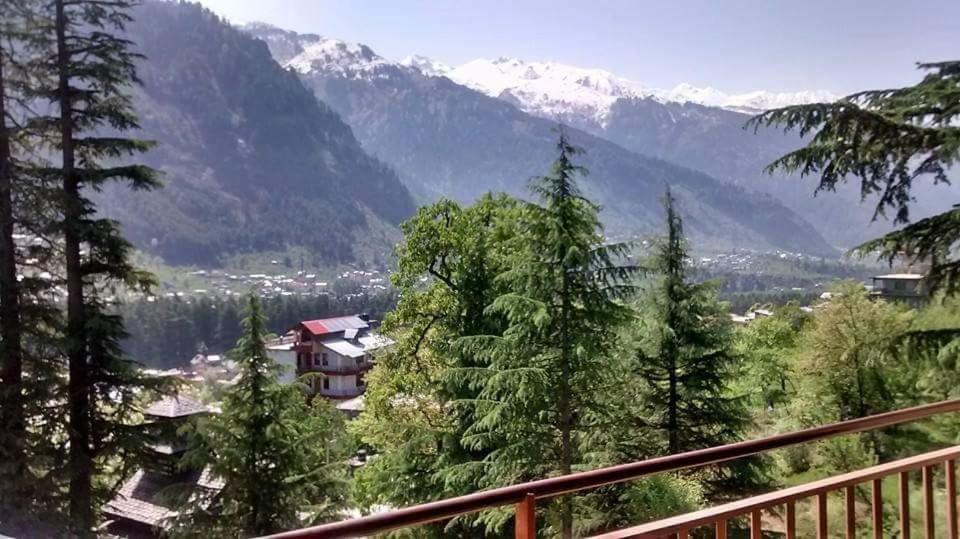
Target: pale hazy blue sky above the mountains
[(732, 45)]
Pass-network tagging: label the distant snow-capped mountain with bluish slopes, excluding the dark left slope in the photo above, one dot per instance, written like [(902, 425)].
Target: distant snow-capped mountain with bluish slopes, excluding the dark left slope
[(412, 113)]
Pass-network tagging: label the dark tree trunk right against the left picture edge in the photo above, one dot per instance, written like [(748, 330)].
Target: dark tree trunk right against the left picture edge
[(11, 351)]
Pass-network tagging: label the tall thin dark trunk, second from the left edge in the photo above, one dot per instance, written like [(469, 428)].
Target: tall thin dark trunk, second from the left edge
[(80, 461)]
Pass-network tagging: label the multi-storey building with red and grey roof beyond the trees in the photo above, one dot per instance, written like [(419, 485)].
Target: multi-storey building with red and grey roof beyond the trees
[(341, 349)]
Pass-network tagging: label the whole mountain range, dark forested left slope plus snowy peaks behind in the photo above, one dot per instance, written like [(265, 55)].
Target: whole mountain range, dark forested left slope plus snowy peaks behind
[(270, 139)]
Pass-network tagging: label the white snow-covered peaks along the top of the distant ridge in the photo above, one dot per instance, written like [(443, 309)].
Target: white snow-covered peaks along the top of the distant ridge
[(548, 89)]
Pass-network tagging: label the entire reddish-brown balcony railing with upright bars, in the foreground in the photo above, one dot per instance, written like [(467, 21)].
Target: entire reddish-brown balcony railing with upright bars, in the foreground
[(715, 521)]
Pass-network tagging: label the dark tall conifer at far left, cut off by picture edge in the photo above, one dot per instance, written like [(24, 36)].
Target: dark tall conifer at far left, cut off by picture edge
[(29, 364)]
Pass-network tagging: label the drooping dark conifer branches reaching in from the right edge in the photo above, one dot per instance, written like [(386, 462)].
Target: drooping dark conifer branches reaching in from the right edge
[(888, 139)]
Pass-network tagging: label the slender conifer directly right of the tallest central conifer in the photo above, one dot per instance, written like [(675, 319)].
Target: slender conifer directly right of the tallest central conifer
[(685, 357)]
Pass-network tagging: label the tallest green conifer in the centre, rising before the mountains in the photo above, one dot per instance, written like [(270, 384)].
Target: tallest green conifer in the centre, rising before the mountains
[(539, 411)]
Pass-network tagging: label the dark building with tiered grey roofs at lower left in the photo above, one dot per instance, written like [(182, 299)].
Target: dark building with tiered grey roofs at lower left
[(143, 506)]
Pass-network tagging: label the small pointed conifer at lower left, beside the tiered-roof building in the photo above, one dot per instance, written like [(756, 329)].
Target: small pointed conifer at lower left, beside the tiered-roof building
[(277, 456)]
